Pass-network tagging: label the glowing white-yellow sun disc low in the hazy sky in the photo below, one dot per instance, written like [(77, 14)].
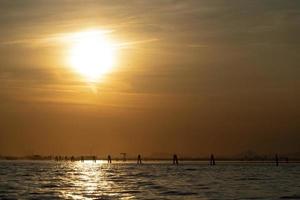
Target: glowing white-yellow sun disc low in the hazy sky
[(92, 55)]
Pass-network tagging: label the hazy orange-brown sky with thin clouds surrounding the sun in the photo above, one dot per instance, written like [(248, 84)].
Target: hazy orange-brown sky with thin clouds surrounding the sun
[(191, 77)]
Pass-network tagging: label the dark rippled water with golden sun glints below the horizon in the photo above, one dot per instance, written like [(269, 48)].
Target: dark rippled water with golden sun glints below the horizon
[(152, 180)]
